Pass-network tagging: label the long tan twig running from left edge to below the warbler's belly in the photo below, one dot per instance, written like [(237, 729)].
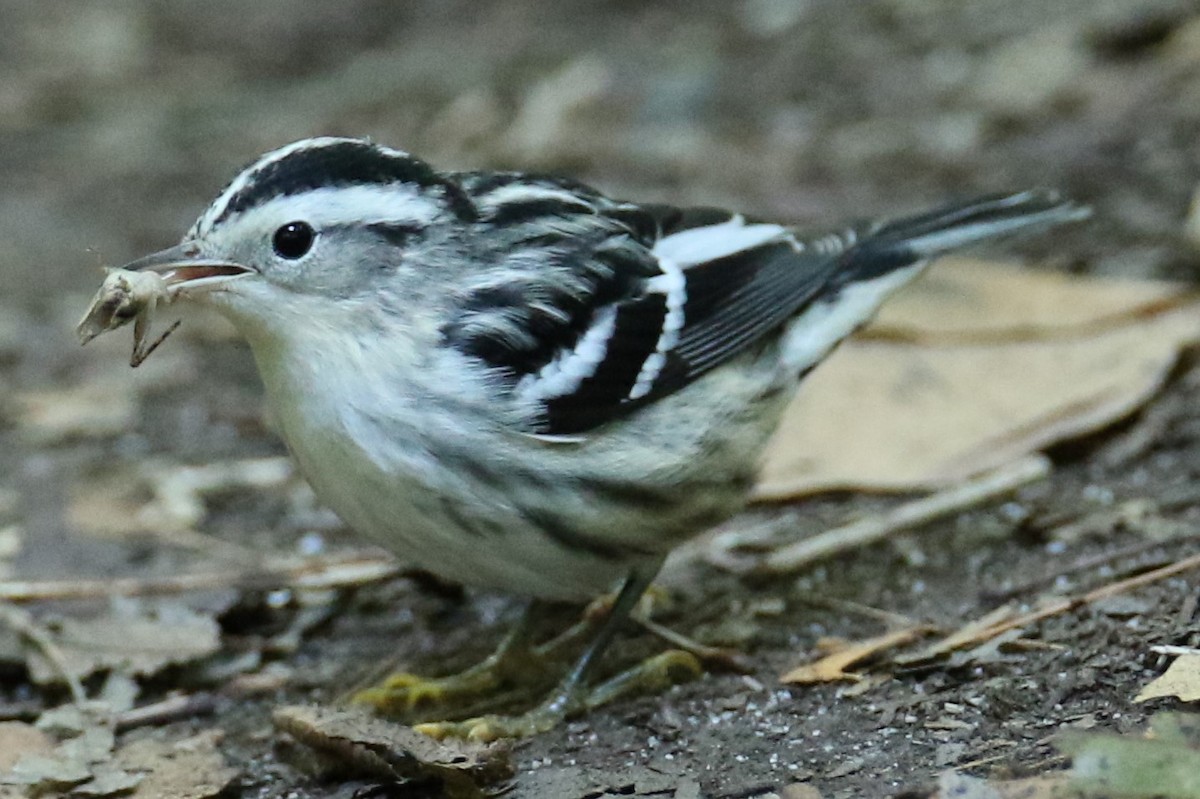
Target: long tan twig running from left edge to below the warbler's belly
[(303, 574)]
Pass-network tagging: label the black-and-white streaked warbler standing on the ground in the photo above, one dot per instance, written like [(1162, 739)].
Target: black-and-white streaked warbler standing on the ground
[(519, 383)]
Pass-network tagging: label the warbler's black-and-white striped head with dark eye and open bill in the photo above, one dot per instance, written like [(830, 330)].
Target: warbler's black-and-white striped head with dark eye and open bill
[(317, 225)]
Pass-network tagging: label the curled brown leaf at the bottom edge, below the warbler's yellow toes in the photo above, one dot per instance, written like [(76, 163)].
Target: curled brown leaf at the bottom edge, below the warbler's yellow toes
[(352, 742)]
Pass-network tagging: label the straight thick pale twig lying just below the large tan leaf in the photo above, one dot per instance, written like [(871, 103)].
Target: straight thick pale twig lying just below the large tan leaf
[(921, 512)]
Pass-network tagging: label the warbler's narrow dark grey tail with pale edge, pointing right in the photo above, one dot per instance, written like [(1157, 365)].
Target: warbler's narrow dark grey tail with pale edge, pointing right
[(934, 233)]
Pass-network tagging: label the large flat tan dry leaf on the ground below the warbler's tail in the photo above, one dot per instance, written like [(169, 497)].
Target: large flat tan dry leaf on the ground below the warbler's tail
[(971, 368)]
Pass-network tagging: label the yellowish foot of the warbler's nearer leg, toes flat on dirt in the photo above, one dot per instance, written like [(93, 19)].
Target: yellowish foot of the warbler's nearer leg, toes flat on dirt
[(658, 674)]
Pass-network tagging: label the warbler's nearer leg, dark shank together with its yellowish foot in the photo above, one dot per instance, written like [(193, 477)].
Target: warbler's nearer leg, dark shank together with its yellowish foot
[(573, 696)]
